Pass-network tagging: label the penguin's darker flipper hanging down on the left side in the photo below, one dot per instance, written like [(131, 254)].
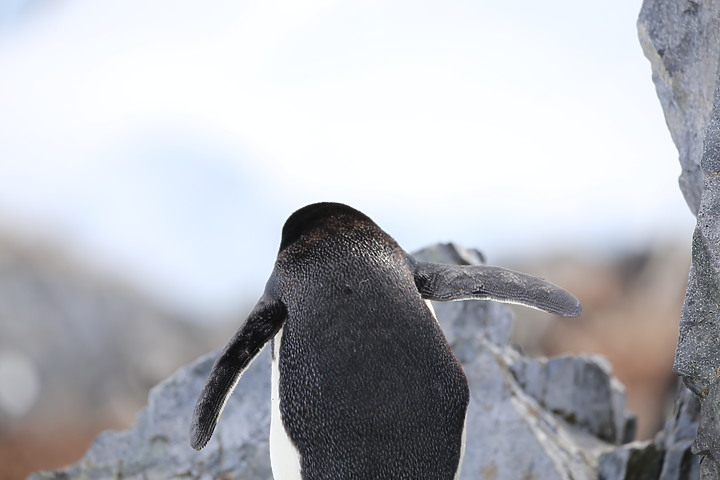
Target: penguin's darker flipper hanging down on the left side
[(262, 324)]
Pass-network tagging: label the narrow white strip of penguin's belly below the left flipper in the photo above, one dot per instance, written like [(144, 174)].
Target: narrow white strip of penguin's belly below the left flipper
[(284, 456)]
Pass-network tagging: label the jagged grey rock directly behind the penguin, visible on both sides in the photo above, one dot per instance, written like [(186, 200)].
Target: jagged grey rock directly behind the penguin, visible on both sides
[(527, 418)]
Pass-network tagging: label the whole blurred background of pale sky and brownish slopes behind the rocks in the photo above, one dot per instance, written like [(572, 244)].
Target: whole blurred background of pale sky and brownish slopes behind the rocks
[(151, 151)]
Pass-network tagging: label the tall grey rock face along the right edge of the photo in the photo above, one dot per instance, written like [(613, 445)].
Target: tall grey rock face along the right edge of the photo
[(682, 42)]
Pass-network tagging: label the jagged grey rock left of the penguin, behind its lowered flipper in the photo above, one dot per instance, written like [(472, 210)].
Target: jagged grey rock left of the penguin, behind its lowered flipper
[(158, 447)]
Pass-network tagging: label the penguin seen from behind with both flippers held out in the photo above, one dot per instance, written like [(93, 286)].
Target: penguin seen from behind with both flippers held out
[(364, 383)]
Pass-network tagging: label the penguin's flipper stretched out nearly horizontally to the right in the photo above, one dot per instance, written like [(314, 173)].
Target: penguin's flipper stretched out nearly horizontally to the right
[(442, 282)]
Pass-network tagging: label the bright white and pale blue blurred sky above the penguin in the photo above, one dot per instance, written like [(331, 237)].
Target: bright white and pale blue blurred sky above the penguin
[(168, 140)]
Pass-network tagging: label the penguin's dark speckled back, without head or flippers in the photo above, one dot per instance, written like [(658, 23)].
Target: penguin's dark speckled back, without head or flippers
[(368, 386)]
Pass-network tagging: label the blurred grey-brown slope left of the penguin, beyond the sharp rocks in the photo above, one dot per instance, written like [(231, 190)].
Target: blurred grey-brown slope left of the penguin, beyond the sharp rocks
[(78, 352)]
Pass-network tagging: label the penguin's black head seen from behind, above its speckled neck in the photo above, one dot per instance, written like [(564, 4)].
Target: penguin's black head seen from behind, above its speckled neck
[(320, 218)]
